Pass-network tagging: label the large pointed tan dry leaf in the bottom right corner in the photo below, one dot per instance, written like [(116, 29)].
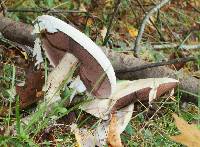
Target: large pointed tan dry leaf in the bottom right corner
[(190, 135)]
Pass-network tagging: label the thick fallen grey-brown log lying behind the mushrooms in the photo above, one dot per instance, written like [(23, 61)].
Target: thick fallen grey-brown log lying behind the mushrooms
[(21, 33)]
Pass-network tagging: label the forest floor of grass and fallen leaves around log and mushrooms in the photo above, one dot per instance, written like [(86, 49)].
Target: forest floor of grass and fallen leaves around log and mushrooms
[(151, 125)]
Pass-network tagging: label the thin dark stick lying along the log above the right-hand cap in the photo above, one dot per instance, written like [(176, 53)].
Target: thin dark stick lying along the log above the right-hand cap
[(142, 67)]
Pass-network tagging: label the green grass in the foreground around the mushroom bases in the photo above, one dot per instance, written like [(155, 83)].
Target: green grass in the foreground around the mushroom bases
[(150, 126)]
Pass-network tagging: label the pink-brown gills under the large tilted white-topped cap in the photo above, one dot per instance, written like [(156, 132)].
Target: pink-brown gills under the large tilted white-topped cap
[(90, 72)]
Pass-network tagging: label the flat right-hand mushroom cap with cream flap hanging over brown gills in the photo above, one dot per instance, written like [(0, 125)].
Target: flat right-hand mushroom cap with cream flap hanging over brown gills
[(140, 90)]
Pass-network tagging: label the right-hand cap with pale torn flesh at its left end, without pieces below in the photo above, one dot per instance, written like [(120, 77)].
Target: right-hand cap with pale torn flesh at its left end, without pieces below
[(128, 92)]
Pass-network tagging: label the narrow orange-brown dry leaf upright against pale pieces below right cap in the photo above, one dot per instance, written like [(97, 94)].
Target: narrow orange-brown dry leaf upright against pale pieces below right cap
[(114, 139)]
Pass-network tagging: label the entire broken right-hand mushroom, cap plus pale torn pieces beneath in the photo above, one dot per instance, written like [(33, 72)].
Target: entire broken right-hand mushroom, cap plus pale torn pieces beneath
[(121, 104)]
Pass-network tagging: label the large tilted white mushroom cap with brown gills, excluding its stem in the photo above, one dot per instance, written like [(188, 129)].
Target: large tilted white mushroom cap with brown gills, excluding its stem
[(95, 69)]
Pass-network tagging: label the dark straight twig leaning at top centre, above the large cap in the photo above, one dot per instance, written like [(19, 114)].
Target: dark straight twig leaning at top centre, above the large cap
[(117, 4)]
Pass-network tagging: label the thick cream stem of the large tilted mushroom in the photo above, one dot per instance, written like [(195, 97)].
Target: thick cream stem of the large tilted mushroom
[(61, 72)]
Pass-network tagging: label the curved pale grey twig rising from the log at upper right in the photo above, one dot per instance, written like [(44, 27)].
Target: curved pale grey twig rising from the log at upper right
[(144, 22)]
